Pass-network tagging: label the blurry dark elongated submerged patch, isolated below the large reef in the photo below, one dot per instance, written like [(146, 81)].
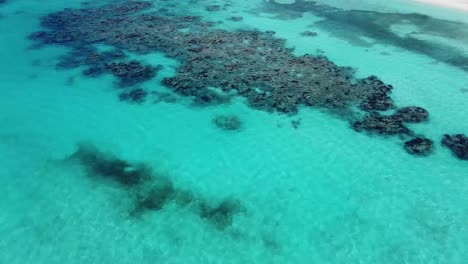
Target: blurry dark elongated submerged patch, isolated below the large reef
[(152, 191)]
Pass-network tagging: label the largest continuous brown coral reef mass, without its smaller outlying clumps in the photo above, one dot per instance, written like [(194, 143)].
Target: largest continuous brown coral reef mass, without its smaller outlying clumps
[(255, 64)]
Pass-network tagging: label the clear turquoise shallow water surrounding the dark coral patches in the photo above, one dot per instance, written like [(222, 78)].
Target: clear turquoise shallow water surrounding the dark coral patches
[(317, 193)]
